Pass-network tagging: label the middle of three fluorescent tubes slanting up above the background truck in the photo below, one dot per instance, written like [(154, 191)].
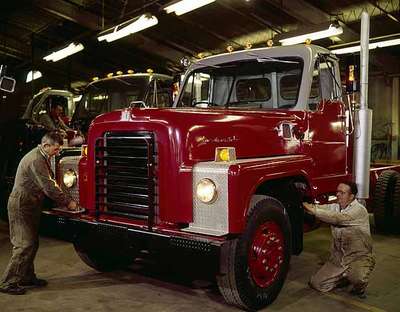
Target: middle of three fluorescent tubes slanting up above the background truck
[(137, 24)]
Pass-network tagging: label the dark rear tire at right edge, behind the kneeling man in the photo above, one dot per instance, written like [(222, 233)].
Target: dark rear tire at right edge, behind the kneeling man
[(383, 200)]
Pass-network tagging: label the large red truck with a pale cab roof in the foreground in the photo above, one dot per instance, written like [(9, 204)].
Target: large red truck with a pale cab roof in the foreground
[(251, 135)]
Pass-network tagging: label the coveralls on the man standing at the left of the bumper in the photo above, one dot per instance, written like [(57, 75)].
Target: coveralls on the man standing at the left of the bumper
[(32, 182)]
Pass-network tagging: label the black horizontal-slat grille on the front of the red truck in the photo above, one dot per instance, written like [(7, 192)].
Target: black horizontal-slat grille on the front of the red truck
[(125, 180)]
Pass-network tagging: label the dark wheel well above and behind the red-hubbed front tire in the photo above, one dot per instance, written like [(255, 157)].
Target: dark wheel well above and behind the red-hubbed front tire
[(291, 192)]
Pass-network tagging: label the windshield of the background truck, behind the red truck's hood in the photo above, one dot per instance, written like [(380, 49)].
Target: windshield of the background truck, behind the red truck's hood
[(107, 95)]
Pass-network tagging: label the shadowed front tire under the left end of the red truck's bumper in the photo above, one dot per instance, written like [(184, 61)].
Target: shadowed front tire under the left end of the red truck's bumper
[(102, 259)]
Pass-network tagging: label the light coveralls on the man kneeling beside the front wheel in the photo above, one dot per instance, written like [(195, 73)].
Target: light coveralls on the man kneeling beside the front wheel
[(351, 249)]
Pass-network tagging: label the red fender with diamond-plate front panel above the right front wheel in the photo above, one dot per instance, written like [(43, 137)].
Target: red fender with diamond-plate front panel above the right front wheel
[(236, 182)]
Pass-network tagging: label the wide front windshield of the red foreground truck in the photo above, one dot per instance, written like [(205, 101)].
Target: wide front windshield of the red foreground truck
[(265, 83)]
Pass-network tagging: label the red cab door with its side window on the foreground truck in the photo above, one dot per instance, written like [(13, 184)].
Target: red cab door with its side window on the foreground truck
[(326, 139)]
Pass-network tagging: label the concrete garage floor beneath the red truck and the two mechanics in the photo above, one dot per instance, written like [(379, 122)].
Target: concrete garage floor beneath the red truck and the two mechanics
[(148, 287)]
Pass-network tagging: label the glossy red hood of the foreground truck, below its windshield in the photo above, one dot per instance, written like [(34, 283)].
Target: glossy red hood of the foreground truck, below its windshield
[(193, 134)]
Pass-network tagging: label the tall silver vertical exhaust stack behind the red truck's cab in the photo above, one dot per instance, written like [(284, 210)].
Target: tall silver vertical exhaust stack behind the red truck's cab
[(363, 119)]
